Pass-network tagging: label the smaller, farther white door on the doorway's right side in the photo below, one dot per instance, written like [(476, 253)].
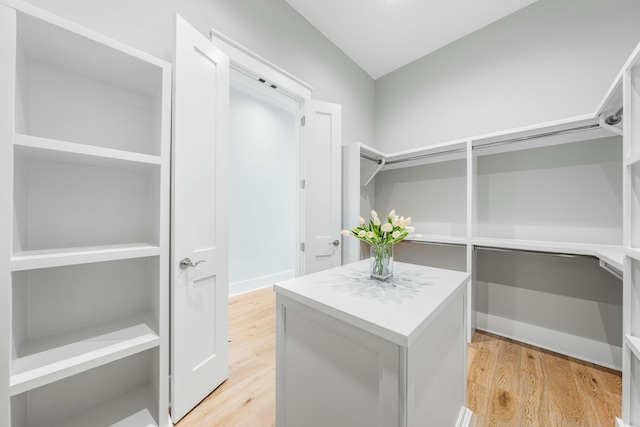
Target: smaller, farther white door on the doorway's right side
[(321, 146)]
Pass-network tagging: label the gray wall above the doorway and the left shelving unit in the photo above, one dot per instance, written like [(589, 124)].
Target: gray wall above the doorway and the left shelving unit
[(270, 28)]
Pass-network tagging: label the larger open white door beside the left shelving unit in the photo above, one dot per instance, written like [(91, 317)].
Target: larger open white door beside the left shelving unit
[(199, 326)]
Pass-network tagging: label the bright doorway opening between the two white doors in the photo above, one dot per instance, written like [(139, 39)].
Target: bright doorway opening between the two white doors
[(264, 184)]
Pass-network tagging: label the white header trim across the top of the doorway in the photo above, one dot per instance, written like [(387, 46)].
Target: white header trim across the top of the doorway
[(249, 62)]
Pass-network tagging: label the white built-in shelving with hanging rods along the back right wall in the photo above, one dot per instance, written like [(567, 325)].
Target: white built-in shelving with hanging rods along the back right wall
[(534, 214)]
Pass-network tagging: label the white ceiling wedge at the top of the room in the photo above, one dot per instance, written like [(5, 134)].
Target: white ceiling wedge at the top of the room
[(383, 35)]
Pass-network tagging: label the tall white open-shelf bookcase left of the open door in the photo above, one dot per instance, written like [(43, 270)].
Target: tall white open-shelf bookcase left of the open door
[(84, 293)]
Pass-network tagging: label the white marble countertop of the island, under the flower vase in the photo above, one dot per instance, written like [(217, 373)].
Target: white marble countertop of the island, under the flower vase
[(397, 310)]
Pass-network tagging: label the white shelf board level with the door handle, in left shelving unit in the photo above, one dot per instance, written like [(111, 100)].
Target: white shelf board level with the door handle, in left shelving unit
[(29, 260)]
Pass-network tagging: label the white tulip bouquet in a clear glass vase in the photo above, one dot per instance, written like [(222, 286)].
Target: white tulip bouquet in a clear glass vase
[(381, 236)]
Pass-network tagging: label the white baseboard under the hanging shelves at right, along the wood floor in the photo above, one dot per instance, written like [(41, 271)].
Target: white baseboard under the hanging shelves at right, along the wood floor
[(586, 349)]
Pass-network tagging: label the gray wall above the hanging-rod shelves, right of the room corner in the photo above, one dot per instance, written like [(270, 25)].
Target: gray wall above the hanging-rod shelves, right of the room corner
[(552, 60)]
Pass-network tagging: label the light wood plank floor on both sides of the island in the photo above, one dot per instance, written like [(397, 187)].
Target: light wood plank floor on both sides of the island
[(510, 383)]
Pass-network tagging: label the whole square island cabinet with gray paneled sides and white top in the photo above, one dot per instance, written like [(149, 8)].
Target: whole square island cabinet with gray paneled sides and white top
[(352, 351)]
